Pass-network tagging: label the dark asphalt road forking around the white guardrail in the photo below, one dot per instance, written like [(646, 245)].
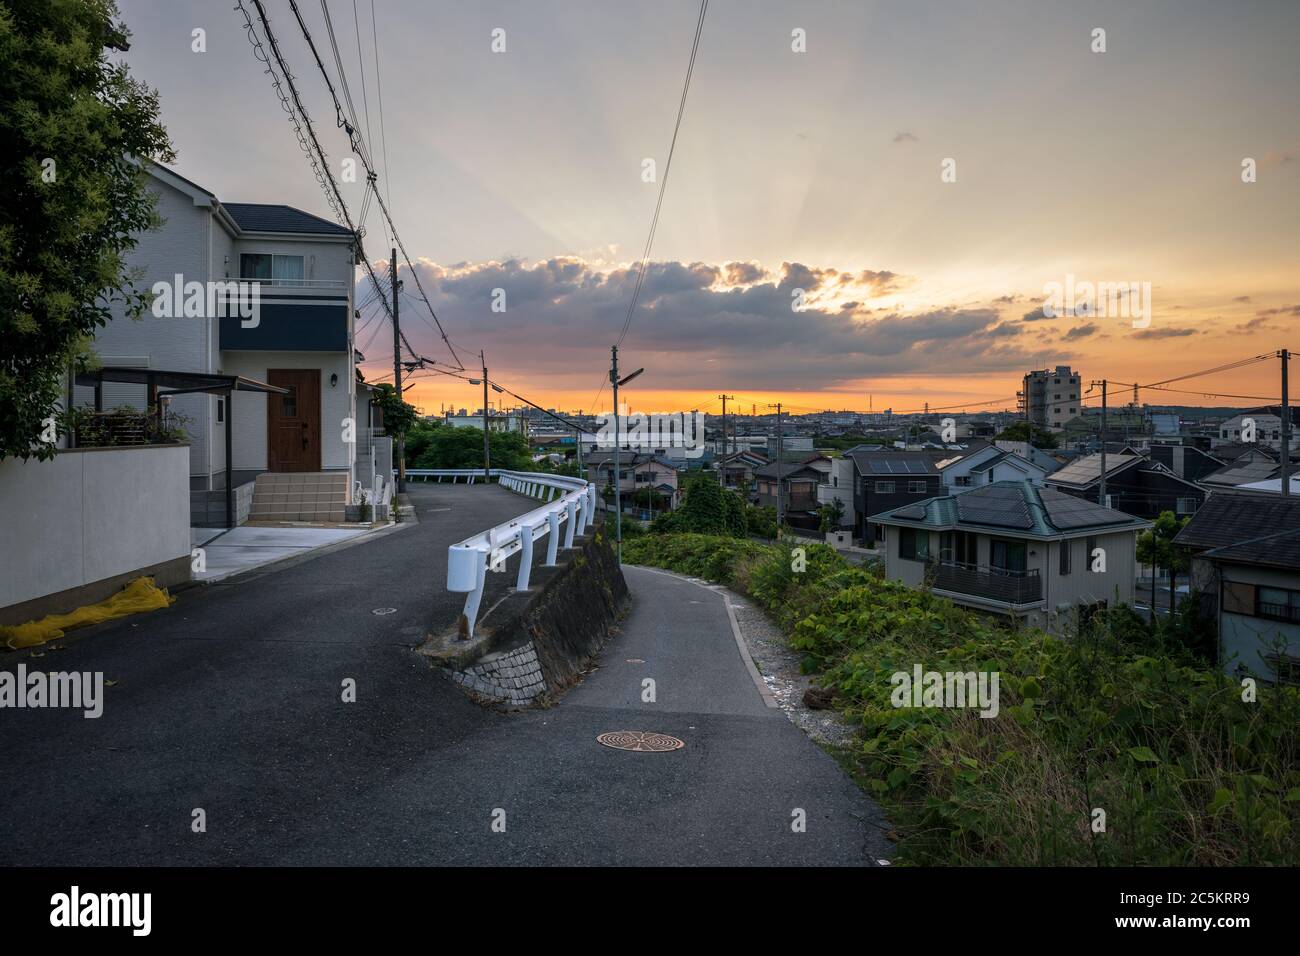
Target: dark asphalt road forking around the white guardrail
[(231, 702)]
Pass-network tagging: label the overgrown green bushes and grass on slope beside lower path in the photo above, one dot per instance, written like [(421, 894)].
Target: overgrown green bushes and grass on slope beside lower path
[(1119, 719)]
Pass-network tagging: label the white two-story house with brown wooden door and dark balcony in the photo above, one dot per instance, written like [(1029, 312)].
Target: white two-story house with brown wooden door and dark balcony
[(301, 343)]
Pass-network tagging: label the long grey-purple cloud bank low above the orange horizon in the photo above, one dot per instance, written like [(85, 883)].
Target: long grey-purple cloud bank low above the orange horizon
[(700, 325)]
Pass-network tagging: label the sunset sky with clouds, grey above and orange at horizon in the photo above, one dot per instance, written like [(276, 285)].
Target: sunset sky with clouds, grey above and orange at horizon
[(872, 223)]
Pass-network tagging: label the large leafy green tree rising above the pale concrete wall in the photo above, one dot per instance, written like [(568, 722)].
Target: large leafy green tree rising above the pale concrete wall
[(73, 204)]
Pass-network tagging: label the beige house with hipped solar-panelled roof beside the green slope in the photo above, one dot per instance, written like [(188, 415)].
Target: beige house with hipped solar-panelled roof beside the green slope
[(1016, 550)]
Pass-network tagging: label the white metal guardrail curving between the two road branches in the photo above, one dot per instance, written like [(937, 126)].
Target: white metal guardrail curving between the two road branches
[(567, 500)]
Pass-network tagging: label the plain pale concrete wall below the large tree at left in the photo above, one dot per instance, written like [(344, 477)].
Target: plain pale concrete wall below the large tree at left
[(79, 526)]
